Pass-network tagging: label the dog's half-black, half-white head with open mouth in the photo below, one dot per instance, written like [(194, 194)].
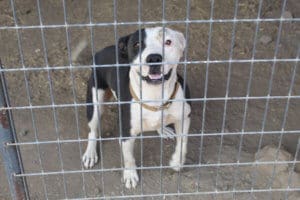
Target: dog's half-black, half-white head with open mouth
[(153, 59)]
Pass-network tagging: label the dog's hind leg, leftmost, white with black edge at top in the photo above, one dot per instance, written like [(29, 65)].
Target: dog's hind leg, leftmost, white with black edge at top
[(90, 157)]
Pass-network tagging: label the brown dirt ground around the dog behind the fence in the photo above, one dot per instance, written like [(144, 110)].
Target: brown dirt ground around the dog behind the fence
[(68, 86)]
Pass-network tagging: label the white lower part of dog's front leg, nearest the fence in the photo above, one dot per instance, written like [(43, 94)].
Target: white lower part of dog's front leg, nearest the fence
[(130, 175)]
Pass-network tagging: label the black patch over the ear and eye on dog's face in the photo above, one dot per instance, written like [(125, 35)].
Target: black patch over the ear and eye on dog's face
[(131, 45)]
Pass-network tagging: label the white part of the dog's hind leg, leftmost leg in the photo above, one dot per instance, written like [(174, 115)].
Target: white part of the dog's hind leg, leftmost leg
[(90, 157)]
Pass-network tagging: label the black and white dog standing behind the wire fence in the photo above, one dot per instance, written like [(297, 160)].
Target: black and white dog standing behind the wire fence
[(155, 75)]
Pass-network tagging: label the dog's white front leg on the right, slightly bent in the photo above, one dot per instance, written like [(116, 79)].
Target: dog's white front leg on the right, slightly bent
[(178, 157)]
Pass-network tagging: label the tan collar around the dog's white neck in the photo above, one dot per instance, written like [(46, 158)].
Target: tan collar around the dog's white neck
[(155, 108)]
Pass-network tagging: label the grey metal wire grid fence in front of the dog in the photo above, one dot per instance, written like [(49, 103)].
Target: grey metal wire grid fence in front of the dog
[(91, 25)]
